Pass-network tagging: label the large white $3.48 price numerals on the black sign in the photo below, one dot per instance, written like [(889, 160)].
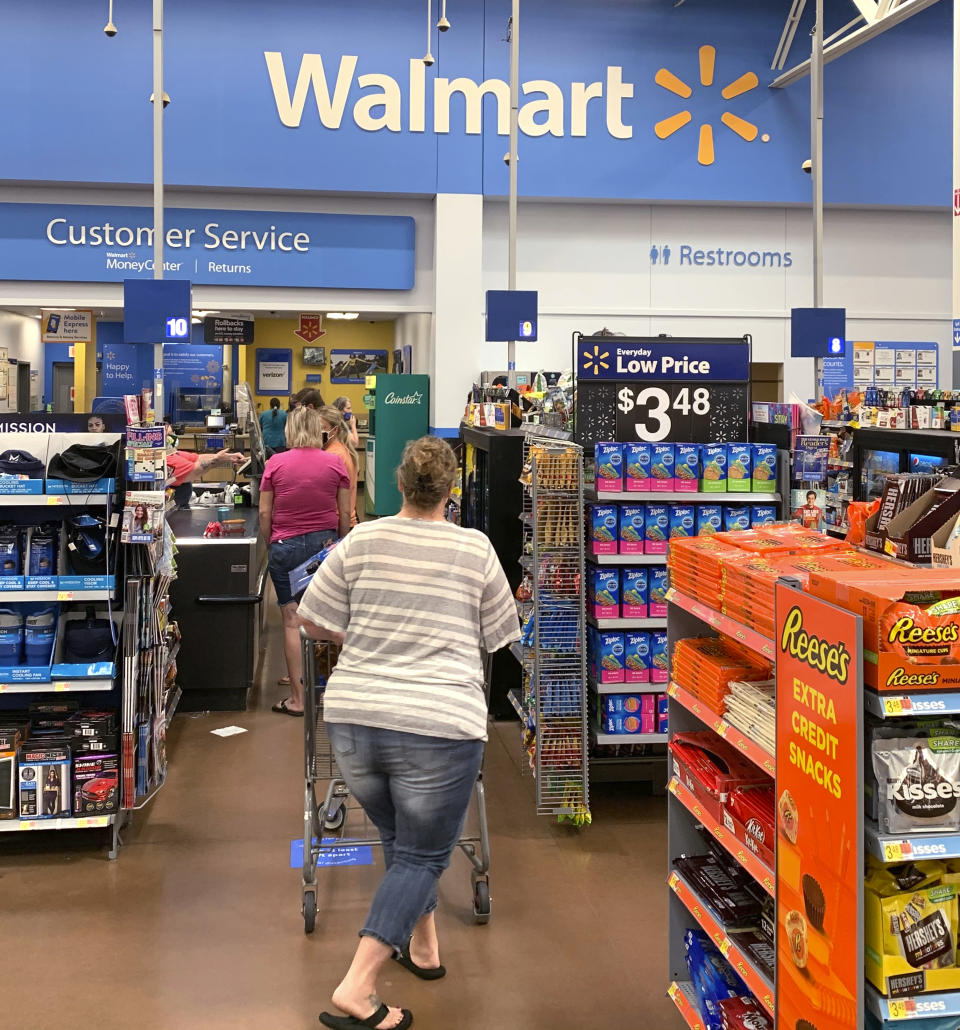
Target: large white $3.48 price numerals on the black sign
[(672, 413)]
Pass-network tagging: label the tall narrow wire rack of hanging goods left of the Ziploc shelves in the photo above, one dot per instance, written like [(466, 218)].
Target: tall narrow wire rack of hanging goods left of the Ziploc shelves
[(555, 702)]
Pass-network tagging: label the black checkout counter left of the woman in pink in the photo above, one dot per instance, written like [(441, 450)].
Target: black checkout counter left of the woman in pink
[(219, 603)]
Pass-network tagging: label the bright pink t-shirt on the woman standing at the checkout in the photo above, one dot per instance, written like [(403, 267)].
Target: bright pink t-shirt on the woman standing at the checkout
[(304, 485)]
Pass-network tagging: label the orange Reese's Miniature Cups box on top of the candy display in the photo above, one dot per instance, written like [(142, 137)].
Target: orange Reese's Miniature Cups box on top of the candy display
[(906, 645)]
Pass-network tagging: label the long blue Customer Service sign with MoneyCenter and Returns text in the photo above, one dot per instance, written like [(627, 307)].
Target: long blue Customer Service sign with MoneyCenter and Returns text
[(93, 244)]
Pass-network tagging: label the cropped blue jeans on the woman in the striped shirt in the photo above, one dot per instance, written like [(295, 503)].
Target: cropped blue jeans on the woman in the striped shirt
[(417, 792)]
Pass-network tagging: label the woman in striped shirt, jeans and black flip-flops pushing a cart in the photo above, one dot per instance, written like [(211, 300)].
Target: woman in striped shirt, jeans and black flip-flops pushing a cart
[(416, 601)]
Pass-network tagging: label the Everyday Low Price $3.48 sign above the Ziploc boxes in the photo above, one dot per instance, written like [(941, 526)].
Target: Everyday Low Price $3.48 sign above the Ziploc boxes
[(667, 390)]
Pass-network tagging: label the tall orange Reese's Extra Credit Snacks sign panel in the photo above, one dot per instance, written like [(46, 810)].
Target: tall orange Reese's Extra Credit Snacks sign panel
[(819, 821)]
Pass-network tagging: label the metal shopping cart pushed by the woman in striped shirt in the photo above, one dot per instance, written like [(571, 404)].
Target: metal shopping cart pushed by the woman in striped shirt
[(325, 825)]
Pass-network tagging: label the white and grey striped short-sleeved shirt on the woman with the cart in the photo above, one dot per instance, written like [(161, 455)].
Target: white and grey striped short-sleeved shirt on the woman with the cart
[(416, 600)]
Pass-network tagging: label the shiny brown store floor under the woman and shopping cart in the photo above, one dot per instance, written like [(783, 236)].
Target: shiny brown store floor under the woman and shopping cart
[(198, 925)]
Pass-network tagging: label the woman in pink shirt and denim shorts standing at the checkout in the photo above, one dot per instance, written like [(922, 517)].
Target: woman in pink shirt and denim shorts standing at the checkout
[(304, 505)]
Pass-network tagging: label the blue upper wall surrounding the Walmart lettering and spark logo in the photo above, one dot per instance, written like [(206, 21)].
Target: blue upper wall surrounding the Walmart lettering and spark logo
[(887, 131)]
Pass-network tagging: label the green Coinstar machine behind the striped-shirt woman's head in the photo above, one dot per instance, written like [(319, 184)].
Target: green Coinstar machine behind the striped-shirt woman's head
[(401, 414)]
